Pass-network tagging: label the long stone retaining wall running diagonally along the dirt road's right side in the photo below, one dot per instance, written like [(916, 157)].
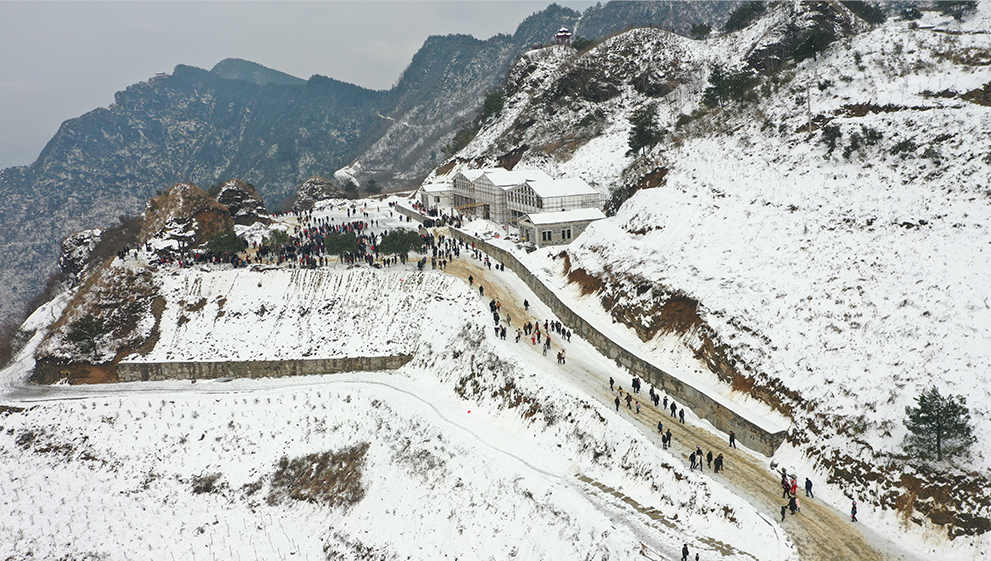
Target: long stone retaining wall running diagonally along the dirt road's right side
[(720, 415)]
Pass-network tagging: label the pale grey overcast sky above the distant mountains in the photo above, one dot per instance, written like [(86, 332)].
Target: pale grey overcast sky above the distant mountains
[(59, 60)]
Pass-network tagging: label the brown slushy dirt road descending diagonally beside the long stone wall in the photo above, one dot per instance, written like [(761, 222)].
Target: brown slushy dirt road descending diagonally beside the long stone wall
[(819, 532)]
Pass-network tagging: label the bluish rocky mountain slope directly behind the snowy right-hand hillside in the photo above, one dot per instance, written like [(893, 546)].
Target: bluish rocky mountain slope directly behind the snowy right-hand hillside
[(444, 85)]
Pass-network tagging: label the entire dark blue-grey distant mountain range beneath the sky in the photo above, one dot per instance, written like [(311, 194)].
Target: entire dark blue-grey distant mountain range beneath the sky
[(243, 120)]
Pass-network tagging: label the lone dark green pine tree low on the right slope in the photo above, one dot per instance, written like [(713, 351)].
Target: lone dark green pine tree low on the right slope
[(939, 425)]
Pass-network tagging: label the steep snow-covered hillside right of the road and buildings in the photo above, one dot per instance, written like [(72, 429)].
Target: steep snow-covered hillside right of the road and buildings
[(833, 272)]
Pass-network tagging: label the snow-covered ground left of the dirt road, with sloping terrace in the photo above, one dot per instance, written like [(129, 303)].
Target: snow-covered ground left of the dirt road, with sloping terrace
[(473, 449)]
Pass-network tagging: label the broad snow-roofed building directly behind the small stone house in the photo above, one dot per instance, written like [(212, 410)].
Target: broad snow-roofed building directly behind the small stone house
[(551, 195)]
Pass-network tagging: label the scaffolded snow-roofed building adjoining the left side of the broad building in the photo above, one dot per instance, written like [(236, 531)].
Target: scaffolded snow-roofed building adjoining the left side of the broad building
[(484, 192)]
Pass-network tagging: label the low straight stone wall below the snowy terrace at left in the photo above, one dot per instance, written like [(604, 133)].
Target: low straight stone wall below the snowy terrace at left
[(188, 370)]
